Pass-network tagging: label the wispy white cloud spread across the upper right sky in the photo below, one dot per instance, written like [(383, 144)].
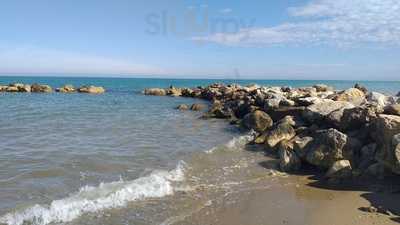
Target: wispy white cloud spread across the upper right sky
[(331, 22)]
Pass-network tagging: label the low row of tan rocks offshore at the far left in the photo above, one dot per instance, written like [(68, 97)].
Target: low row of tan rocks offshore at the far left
[(42, 88)]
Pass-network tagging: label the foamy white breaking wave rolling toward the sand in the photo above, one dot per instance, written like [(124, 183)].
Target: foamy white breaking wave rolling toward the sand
[(94, 199)]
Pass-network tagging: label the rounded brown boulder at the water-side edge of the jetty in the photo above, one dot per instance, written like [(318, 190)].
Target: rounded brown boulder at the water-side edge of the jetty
[(258, 121)]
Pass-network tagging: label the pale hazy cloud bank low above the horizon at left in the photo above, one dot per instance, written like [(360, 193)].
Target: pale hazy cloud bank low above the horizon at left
[(39, 60)]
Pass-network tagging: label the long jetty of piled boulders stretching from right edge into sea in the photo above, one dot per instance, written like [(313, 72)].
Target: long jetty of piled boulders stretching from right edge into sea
[(347, 133)]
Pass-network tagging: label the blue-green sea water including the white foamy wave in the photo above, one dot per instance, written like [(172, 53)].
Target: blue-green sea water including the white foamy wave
[(67, 156)]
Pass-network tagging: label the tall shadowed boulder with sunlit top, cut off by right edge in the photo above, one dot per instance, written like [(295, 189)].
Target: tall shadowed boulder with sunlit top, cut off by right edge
[(387, 130)]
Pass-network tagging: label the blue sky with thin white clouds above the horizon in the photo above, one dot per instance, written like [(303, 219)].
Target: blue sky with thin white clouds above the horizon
[(275, 39)]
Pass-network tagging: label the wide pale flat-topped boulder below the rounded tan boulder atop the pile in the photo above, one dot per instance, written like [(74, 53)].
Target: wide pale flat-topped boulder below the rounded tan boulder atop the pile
[(320, 111)]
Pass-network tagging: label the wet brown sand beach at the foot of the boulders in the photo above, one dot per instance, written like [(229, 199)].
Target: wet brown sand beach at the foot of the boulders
[(266, 197)]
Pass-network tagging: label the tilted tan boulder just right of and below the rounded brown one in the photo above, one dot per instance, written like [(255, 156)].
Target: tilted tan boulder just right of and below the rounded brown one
[(282, 131)]
